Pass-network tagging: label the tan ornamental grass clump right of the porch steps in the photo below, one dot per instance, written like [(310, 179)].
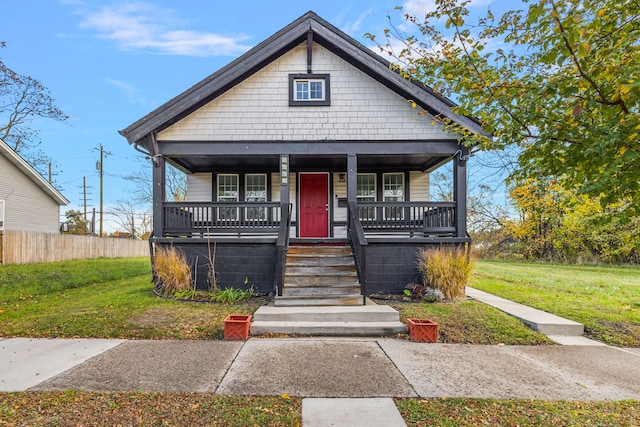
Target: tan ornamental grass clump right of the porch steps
[(445, 269)]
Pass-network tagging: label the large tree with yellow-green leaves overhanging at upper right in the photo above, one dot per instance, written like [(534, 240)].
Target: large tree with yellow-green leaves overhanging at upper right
[(560, 80)]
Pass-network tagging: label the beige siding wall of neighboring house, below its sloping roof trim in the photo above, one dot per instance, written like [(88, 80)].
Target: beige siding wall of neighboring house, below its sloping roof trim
[(27, 207)]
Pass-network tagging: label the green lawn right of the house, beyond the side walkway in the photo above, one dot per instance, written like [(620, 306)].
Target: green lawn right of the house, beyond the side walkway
[(604, 298)]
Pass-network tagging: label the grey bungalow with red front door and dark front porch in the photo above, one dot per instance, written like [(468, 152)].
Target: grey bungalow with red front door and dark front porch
[(308, 153)]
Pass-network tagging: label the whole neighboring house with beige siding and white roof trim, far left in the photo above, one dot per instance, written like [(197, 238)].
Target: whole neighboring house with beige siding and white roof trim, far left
[(28, 202)]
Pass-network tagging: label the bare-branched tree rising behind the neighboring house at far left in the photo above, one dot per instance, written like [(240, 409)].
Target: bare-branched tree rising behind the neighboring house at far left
[(22, 98)]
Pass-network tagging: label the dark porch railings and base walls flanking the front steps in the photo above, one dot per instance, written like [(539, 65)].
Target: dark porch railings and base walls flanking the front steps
[(250, 240)]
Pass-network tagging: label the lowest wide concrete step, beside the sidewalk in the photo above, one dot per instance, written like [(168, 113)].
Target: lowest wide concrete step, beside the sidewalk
[(354, 329)]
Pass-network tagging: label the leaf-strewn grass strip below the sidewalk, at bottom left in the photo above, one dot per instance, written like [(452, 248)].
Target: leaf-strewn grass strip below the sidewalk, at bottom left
[(146, 409)]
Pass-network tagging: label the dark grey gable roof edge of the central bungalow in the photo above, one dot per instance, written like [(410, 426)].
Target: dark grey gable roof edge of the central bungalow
[(275, 46)]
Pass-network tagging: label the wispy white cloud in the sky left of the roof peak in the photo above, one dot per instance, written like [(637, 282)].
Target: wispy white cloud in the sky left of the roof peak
[(144, 27)]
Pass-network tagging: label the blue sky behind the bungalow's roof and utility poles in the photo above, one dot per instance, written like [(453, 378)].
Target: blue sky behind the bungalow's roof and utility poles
[(109, 63)]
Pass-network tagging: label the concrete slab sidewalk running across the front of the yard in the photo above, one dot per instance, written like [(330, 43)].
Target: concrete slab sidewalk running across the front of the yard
[(326, 368)]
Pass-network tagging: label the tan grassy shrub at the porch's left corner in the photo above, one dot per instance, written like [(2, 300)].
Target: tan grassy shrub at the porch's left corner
[(172, 270)]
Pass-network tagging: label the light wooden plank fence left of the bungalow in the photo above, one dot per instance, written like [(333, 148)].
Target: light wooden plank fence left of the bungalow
[(23, 247)]
